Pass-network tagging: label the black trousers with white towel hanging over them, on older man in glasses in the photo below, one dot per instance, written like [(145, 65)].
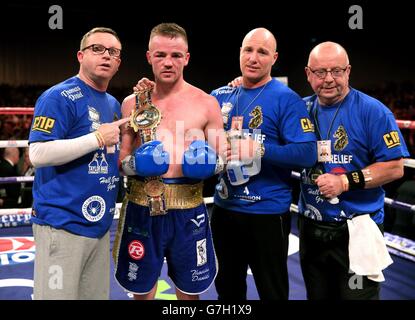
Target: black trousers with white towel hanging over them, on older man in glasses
[(324, 257)]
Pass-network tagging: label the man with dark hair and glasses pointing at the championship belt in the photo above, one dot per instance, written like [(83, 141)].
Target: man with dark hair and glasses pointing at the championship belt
[(74, 148)]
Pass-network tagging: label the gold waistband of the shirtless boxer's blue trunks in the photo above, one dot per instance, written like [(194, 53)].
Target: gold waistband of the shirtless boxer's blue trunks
[(177, 196)]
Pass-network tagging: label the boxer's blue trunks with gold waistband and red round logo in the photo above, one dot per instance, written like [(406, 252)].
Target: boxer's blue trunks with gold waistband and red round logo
[(182, 236)]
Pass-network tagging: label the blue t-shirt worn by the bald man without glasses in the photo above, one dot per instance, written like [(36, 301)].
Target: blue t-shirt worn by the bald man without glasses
[(273, 114)]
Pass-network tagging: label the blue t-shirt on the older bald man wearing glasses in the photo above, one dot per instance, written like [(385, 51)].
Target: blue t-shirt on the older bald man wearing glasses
[(363, 131)]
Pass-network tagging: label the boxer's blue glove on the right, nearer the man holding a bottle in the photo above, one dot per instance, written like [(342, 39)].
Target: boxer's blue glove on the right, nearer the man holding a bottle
[(199, 161)]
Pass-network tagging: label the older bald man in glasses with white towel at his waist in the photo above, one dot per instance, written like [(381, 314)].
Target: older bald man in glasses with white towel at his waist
[(359, 149)]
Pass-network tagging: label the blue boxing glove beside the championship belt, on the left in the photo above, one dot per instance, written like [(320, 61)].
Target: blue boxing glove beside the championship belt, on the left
[(151, 160)]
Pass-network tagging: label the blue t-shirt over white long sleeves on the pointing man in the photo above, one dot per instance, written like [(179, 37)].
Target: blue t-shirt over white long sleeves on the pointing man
[(78, 196)]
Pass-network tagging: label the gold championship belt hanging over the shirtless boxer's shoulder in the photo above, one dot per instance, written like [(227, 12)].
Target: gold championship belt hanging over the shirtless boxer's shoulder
[(144, 119)]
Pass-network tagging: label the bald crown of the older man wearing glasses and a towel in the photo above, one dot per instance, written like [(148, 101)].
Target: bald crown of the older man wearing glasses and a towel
[(328, 52)]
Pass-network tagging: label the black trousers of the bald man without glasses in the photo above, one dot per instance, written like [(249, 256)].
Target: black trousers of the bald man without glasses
[(259, 241)]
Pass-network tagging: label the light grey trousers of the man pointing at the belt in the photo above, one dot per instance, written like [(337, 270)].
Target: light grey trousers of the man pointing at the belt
[(69, 266)]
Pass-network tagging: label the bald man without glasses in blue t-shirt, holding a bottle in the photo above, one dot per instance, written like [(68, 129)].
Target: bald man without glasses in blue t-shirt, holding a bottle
[(270, 134)]
